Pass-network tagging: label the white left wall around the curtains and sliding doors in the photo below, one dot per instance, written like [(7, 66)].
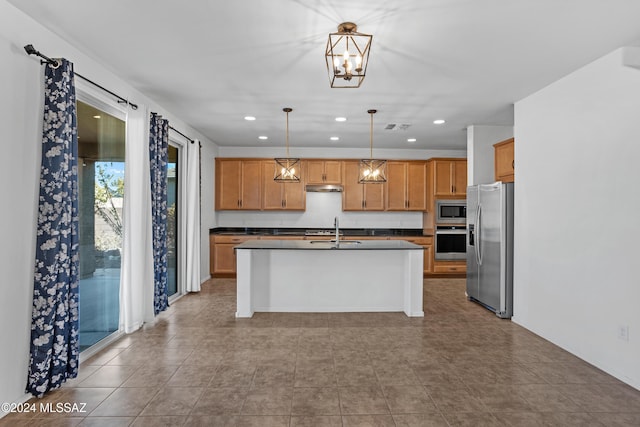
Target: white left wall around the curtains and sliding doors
[(21, 79)]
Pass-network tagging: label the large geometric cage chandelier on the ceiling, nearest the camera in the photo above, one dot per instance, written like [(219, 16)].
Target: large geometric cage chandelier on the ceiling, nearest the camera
[(347, 56)]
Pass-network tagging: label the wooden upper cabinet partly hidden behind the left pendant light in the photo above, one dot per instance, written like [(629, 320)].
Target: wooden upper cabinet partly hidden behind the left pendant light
[(280, 195)]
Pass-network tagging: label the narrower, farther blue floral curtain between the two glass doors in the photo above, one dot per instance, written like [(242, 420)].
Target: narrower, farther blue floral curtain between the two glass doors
[(158, 151)]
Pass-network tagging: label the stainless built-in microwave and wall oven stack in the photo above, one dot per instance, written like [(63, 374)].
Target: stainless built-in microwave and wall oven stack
[(451, 230)]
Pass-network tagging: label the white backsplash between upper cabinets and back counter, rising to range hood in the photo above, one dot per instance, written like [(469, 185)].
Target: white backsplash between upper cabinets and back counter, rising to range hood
[(321, 209)]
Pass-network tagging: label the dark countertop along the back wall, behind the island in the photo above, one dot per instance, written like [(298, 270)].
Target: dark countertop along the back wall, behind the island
[(265, 231)]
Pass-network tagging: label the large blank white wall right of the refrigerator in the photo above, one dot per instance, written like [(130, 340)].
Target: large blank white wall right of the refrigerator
[(576, 205)]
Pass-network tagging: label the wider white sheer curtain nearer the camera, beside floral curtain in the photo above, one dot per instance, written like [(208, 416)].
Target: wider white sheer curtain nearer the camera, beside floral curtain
[(136, 278)]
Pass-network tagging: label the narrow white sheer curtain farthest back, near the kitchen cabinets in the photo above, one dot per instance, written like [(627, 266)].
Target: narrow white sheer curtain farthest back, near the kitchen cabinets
[(192, 217)]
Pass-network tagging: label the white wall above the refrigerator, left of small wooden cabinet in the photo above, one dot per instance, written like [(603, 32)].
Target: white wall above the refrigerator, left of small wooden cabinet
[(480, 151)]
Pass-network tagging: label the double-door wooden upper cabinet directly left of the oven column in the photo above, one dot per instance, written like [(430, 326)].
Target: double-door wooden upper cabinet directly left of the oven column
[(406, 186)]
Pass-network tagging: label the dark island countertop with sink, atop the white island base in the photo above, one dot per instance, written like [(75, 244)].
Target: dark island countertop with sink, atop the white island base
[(328, 244)]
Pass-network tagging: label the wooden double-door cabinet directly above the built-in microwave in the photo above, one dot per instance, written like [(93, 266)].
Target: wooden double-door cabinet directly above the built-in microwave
[(449, 177)]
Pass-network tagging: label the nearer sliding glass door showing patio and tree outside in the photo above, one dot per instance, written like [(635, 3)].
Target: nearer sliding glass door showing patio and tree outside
[(101, 152)]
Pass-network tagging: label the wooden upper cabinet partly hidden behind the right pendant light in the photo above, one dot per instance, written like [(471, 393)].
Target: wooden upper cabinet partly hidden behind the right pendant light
[(360, 197)]
